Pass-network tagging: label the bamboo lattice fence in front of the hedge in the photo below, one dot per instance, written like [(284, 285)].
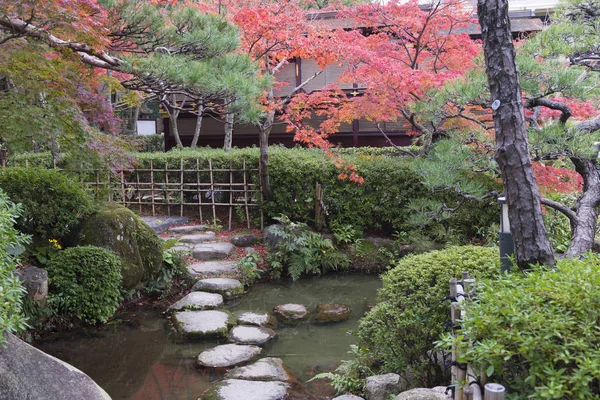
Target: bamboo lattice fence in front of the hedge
[(200, 189)]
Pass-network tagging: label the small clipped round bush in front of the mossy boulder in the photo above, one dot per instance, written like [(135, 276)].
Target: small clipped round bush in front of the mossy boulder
[(85, 282)]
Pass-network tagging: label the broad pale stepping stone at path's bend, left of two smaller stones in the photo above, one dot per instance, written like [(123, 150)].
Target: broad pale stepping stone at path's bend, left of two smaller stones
[(203, 324)]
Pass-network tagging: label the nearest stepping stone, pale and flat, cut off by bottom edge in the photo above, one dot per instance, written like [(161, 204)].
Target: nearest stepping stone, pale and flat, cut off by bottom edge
[(237, 389)]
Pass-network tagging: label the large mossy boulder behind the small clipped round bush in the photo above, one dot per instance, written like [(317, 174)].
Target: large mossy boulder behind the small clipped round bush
[(122, 231)]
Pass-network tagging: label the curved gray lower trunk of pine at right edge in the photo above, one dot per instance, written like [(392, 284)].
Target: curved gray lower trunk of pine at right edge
[(586, 209)]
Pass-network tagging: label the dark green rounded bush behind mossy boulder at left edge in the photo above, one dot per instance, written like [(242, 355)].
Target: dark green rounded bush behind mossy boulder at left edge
[(52, 203)]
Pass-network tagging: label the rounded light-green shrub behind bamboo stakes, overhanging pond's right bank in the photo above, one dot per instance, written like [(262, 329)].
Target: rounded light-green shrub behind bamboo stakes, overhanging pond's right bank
[(401, 330)]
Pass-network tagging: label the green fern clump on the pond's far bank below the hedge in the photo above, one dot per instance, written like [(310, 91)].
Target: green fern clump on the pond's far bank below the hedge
[(300, 251)]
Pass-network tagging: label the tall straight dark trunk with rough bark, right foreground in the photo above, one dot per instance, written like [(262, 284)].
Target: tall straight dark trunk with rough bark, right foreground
[(512, 149)]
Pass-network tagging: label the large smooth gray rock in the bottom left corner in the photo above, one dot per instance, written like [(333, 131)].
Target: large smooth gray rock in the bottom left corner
[(28, 373)]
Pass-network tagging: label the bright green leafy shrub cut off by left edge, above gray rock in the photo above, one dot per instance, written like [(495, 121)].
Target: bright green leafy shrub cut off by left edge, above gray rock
[(11, 291)]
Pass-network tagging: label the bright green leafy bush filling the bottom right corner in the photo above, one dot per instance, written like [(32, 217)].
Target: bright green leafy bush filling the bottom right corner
[(537, 333)]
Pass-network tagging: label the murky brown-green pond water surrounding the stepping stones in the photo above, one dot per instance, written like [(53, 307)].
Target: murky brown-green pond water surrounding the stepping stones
[(138, 360)]
